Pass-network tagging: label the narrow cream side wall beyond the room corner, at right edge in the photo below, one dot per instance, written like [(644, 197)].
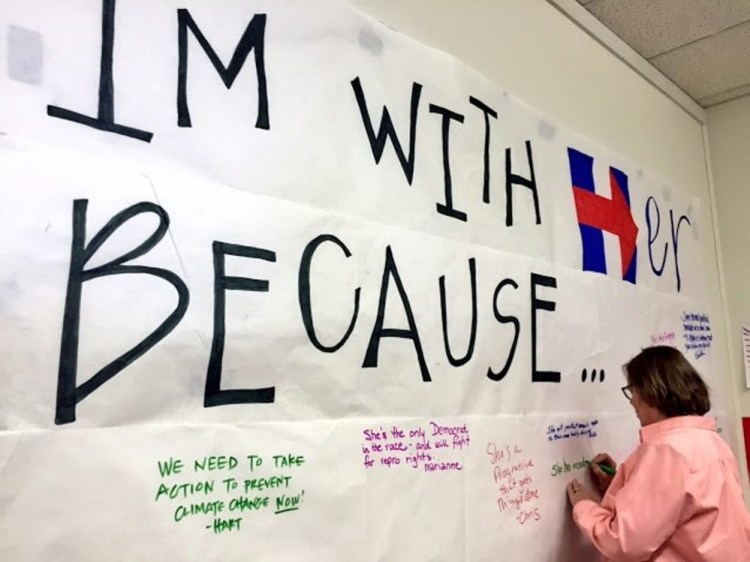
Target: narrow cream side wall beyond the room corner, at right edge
[(729, 139)]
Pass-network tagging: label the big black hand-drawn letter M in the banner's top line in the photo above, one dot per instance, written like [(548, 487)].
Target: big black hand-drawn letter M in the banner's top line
[(251, 40)]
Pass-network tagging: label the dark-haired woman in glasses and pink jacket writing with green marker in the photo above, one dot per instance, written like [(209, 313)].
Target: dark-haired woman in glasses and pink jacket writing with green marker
[(678, 497)]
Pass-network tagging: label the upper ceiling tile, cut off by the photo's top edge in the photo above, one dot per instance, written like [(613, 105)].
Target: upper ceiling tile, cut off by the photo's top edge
[(652, 27)]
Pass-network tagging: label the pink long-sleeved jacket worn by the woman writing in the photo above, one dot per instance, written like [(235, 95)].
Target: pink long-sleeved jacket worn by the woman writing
[(677, 498)]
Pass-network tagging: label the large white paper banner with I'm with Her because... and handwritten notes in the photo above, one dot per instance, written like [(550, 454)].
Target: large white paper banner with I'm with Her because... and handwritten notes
[(281, 284)]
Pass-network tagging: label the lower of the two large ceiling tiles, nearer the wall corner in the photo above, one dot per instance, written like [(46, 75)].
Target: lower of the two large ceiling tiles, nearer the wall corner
[(710, 66)]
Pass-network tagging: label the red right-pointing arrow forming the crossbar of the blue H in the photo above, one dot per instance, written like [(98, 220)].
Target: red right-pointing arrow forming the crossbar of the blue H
[(612, 215)]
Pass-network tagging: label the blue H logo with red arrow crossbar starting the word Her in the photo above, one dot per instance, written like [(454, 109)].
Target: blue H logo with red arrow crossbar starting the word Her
[(597, 214)]
